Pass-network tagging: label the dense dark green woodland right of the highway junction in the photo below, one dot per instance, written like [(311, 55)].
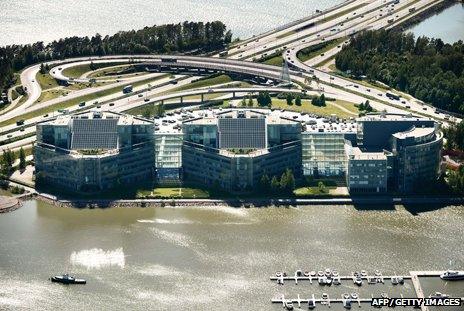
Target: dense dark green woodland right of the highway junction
[(428, 69)]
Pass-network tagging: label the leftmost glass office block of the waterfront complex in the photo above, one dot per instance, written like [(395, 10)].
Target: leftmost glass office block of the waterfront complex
[(94, 151)]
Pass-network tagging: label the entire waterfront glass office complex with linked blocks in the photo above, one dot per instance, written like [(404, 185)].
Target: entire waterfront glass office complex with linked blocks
[(234, 148)]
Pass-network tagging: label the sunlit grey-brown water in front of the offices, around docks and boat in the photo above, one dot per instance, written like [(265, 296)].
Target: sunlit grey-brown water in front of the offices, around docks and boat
[(212, 258)]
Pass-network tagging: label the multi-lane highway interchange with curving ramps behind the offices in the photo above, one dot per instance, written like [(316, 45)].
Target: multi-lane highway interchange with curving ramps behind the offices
[(338, 22)]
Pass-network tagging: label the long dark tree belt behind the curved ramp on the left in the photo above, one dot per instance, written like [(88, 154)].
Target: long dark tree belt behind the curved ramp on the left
[(181, 37)]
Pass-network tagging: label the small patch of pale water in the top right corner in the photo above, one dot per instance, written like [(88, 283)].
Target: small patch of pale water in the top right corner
[(447, 25)]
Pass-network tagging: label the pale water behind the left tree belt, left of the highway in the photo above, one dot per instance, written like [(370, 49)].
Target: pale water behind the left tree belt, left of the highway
[(25, 21)]
